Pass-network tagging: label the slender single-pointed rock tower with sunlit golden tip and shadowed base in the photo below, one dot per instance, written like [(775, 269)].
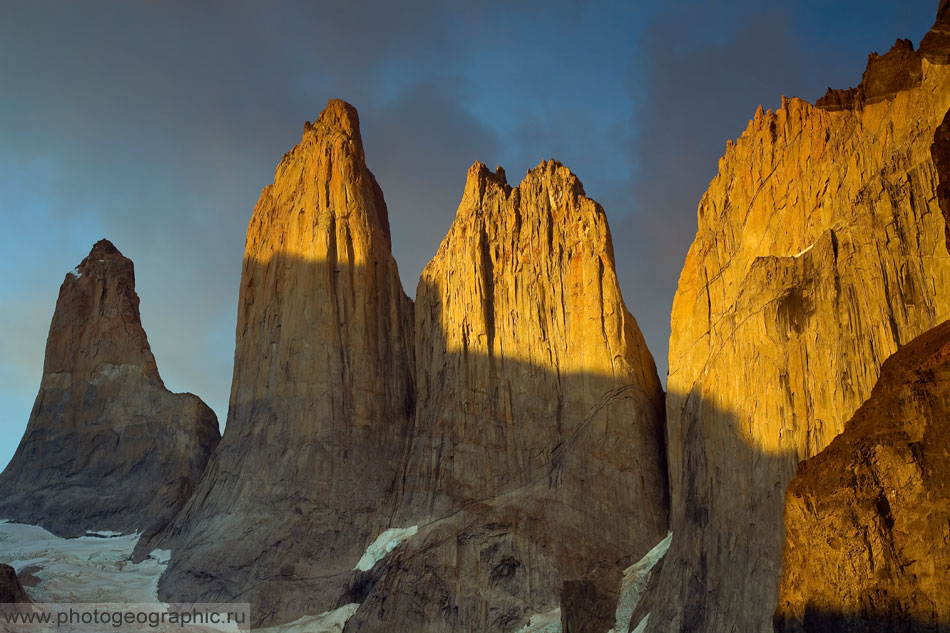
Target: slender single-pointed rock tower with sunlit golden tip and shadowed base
[(321, 396)]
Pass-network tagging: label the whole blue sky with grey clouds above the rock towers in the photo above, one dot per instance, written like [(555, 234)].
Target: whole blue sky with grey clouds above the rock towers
[(156, 124)]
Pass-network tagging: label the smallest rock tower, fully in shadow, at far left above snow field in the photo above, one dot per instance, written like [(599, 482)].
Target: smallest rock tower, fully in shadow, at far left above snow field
[(107, 447)]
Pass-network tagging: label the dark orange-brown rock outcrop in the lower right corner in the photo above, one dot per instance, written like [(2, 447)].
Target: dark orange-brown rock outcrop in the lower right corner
[(867, 544)]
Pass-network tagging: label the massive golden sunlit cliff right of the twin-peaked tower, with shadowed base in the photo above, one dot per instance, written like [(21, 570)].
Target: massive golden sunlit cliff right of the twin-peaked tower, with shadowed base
[(821, 248)]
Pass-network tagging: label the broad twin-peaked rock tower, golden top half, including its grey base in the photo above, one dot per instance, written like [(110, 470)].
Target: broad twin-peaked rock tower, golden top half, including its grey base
[(536, 454)]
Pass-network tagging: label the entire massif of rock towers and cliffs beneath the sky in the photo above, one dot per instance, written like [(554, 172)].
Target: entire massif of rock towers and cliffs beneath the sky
[(499, 452)]
